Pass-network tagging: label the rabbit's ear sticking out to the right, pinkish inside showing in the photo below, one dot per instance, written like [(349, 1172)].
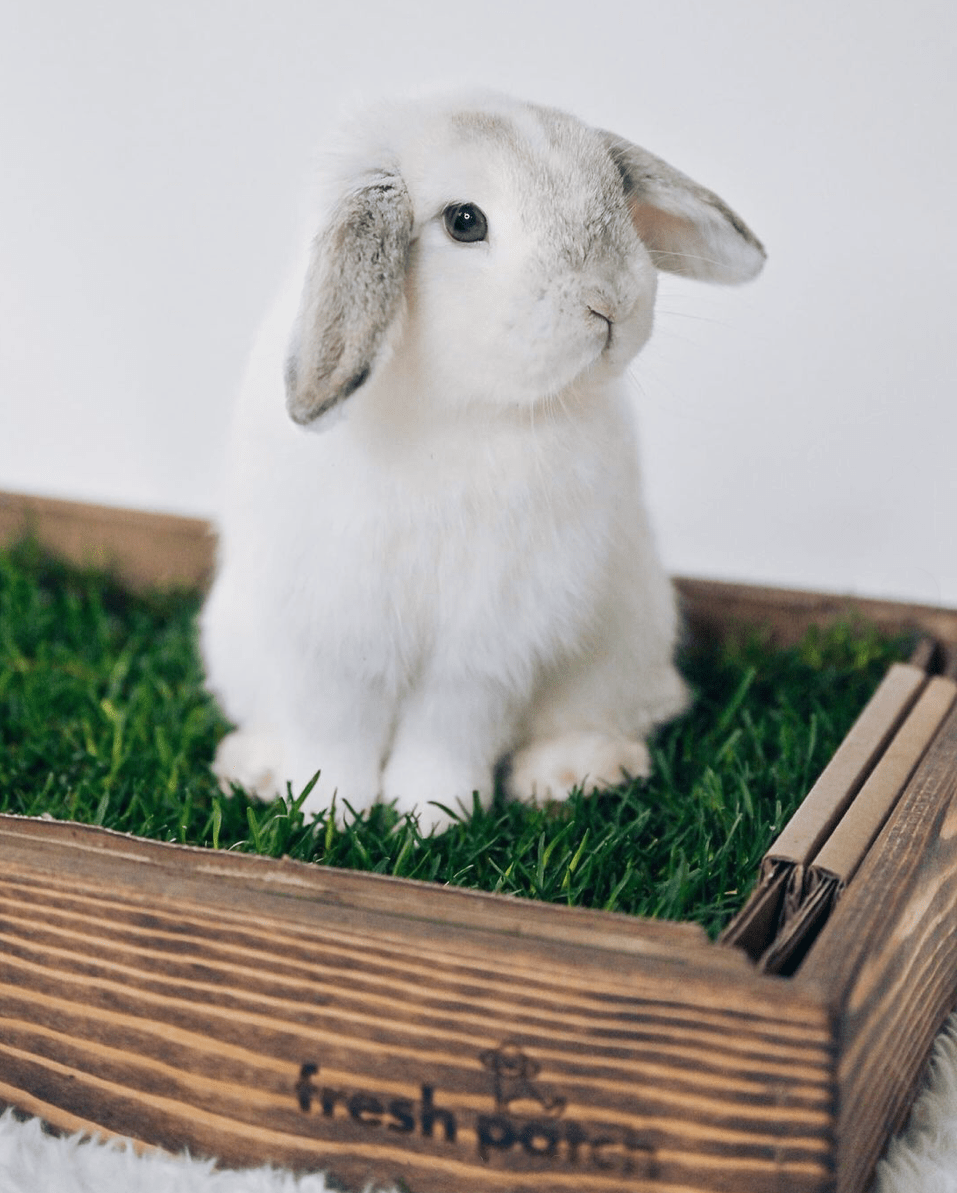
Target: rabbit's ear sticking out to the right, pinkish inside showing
[(687, 228)]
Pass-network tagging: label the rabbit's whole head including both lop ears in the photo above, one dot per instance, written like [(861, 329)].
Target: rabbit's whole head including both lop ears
[(497, 252)]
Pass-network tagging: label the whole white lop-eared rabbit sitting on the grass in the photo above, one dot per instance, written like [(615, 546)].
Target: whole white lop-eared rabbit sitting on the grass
[(455, 570)]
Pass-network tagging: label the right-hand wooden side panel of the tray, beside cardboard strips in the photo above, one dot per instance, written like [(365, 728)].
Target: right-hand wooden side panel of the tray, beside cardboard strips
[(887, 963)]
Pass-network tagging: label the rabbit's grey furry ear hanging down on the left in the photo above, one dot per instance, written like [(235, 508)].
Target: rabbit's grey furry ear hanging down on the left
[(354, 292)]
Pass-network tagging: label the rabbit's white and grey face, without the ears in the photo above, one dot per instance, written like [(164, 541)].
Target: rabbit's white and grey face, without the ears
[(527, 271)]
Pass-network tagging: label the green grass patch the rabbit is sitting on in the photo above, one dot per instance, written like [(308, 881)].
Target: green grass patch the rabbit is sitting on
[(103, 720)]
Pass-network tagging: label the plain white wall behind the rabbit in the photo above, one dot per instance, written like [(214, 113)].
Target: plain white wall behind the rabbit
[(801, 430)]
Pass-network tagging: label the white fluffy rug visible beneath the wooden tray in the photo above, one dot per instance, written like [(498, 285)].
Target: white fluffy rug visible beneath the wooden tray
[(922, 1160)]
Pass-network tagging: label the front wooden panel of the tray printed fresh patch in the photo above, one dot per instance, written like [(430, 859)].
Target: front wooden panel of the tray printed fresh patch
[(256, 1018)]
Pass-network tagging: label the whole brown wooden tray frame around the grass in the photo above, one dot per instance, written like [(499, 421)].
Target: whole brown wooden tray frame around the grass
[(391, 1031)]
